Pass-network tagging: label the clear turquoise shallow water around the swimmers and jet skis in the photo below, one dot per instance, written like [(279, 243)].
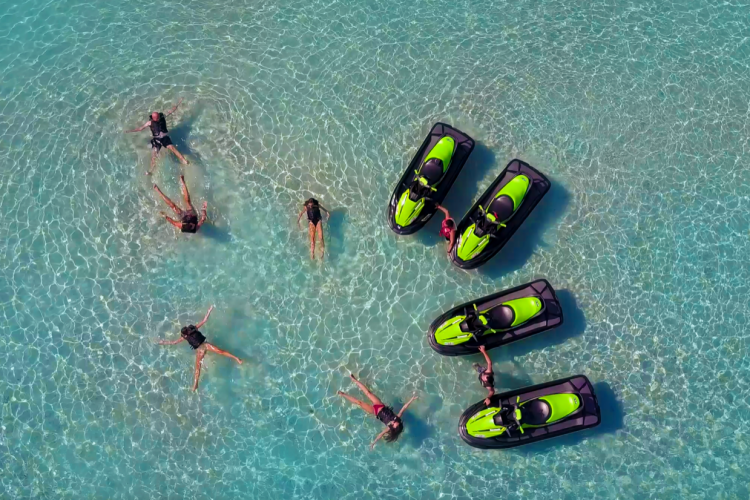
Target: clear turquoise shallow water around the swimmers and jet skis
[(637, 112)]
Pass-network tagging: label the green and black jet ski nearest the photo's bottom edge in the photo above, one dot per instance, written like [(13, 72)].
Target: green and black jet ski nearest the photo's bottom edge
[(531, 414)]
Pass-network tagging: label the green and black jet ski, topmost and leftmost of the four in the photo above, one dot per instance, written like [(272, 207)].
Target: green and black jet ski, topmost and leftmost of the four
[(428, 178)]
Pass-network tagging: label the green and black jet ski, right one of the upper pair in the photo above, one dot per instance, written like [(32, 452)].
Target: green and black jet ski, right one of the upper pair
[(503, 207)]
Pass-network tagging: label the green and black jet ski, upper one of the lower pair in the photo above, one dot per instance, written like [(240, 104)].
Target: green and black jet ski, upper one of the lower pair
[(496, 320)]
